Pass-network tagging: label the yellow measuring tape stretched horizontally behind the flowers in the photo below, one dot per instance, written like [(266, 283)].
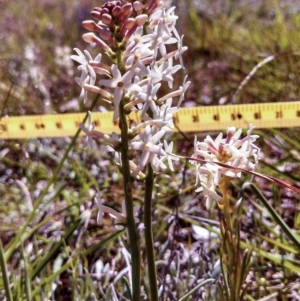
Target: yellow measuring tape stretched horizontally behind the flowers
[(196, 119)]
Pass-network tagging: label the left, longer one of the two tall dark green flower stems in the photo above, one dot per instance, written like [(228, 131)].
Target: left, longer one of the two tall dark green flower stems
[(132, 230)]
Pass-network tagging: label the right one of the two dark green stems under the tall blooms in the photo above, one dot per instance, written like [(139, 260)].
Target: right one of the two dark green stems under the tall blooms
[(148, 234)]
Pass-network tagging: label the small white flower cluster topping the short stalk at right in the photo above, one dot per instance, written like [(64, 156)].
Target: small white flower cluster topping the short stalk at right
[(231, 151)]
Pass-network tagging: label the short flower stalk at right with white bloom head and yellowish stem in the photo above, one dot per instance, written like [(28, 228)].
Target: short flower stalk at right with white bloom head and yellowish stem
[(218, 163)]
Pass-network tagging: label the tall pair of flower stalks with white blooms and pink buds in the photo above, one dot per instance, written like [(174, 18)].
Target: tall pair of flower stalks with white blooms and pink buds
[(135, 37)]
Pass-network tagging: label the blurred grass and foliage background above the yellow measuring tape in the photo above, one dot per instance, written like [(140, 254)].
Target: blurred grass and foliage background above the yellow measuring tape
[(226, 39)]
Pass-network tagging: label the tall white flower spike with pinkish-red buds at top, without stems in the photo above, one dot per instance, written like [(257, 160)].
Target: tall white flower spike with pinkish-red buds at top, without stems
[(140, 62)]
